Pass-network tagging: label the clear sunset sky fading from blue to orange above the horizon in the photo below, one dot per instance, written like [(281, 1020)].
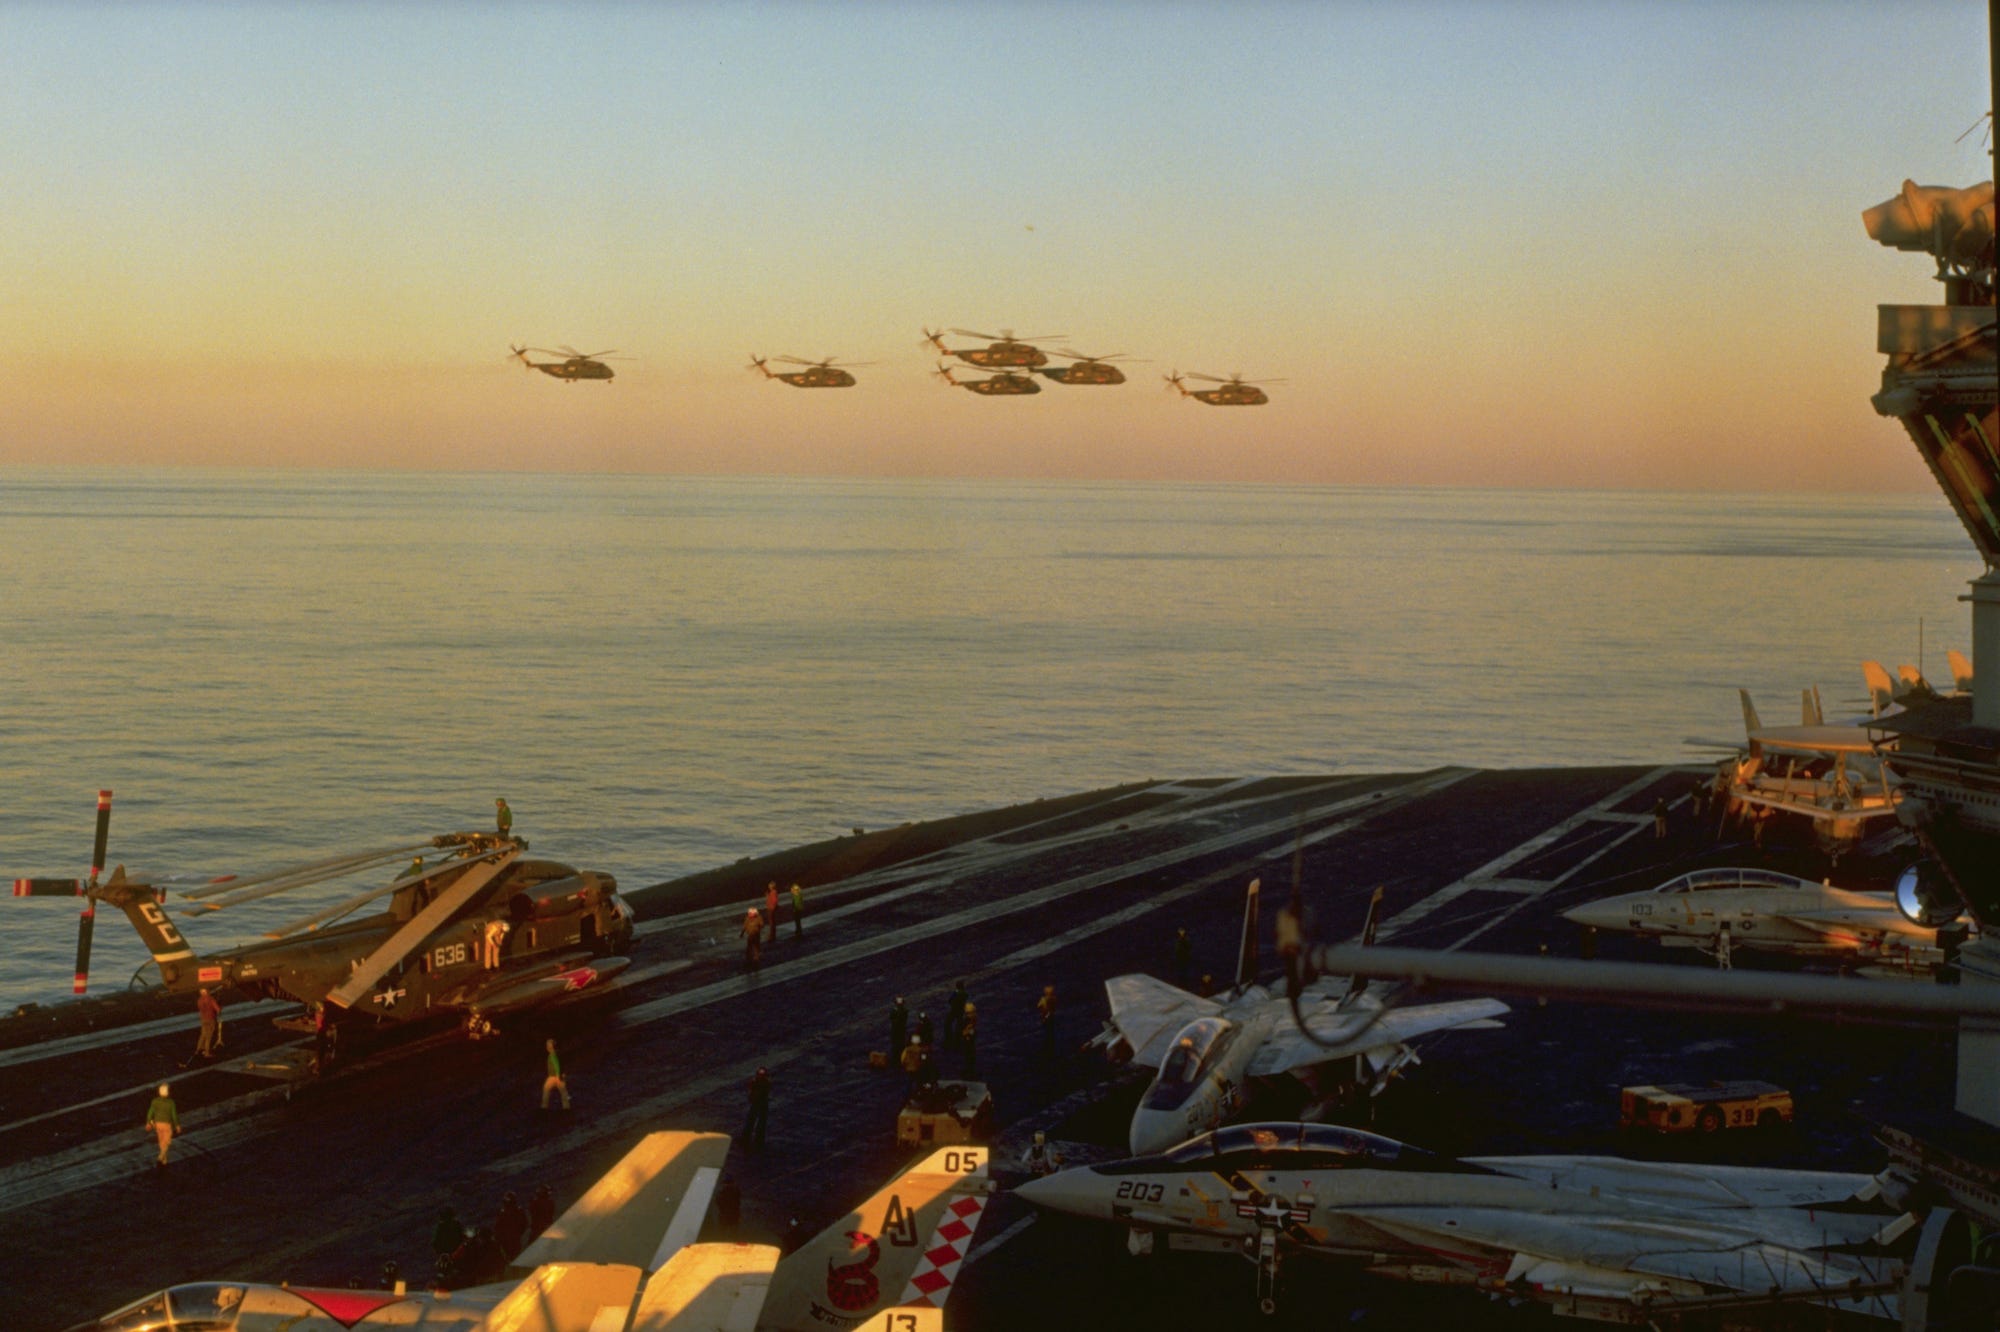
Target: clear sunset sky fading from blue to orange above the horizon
[(1481, 243)]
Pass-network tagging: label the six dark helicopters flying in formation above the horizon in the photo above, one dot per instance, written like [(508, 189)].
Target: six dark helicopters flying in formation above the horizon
[(1009, 359)]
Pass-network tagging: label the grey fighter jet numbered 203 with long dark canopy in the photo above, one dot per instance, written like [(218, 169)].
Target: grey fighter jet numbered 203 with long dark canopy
[(1591, 1237)]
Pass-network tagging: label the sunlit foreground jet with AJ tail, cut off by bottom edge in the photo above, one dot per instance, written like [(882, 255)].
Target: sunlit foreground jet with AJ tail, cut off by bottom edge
[(625, 1261)]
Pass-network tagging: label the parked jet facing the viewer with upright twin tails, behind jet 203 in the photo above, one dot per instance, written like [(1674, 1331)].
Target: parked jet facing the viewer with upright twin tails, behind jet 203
[(1207, 1051)]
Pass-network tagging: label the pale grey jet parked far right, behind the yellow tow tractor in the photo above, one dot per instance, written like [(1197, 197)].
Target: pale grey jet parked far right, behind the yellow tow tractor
[(1729, 909)]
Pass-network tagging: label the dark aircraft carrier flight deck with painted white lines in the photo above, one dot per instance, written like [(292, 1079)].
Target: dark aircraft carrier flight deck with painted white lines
[(327, 1181)]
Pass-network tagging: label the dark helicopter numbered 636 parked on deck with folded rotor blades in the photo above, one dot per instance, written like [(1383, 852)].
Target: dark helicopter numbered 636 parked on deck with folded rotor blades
[(481, 933)]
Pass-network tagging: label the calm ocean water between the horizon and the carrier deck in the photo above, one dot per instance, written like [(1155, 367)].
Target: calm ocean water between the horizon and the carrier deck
[(663, 675)]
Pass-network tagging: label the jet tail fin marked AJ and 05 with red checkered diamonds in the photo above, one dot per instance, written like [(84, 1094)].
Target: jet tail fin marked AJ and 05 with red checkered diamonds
[(899, 1249)]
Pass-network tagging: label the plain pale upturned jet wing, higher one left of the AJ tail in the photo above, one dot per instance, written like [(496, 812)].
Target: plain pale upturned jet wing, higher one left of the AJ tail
[(643, 1211)]
